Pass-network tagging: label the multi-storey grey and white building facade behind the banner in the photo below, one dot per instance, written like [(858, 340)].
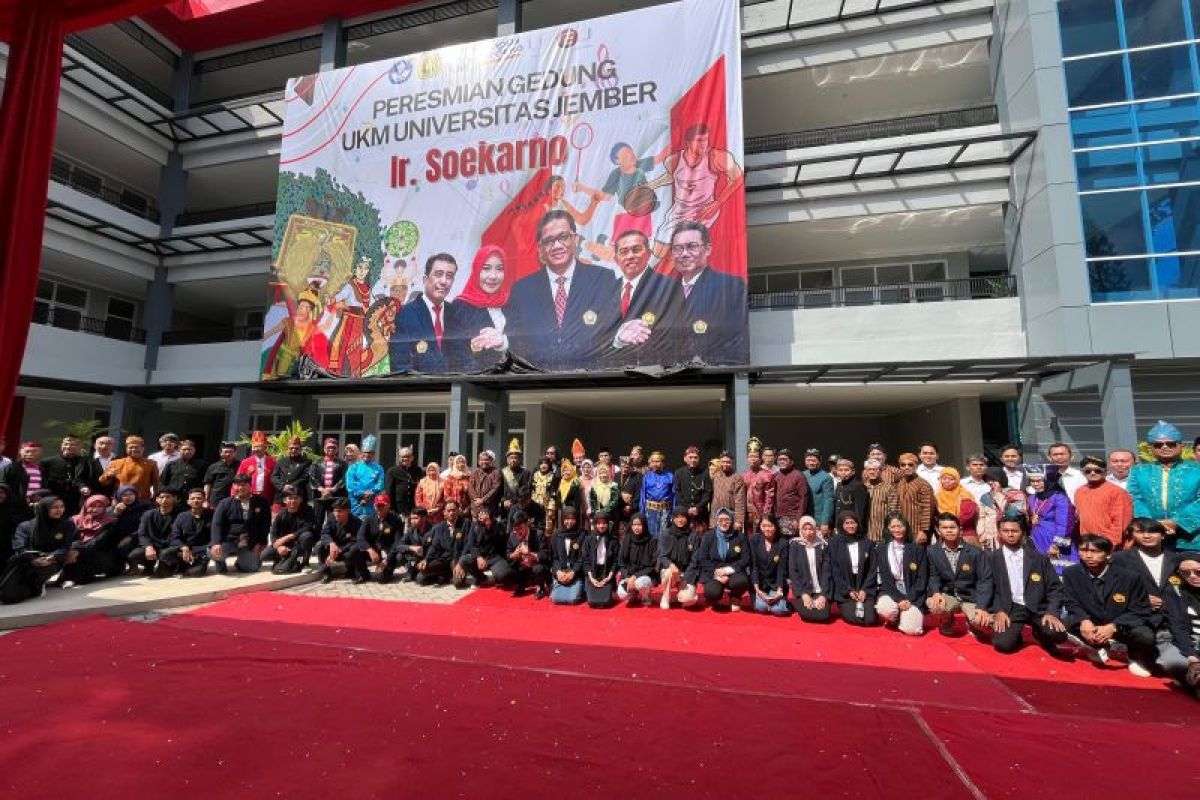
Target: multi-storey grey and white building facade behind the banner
[(970, 221)]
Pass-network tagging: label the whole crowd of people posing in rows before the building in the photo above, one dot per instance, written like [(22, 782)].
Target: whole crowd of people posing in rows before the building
[(1099, 558)]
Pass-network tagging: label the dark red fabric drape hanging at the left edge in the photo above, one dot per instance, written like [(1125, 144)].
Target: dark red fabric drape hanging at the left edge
[(28, 116)]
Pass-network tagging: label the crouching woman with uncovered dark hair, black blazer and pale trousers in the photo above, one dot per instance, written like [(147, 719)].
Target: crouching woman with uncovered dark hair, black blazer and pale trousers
[(904, 578)]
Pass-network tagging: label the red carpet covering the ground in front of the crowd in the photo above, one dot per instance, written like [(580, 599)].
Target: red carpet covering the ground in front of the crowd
[(269, 695)]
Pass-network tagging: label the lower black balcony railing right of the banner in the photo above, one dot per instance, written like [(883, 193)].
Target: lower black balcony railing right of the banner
[(890, 294)]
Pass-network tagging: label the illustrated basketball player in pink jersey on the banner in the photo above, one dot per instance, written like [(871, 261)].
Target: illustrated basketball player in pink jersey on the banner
[(693, 175)]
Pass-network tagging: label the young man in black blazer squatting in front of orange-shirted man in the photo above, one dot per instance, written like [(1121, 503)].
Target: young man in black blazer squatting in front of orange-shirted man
[(1107, 605)]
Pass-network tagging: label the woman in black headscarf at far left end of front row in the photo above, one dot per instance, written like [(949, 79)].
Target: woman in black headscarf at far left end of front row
[(43, 548)]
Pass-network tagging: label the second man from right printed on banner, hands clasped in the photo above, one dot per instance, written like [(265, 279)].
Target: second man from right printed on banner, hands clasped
[(651, 320)]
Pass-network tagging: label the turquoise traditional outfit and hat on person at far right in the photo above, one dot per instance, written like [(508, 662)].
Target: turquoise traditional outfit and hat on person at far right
[(1169, 491)]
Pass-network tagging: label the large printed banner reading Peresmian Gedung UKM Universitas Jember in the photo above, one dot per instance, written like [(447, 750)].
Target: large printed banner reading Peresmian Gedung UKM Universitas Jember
[(571, 199)]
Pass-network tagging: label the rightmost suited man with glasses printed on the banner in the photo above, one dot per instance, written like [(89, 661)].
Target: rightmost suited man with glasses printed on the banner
[(716, 303)]
